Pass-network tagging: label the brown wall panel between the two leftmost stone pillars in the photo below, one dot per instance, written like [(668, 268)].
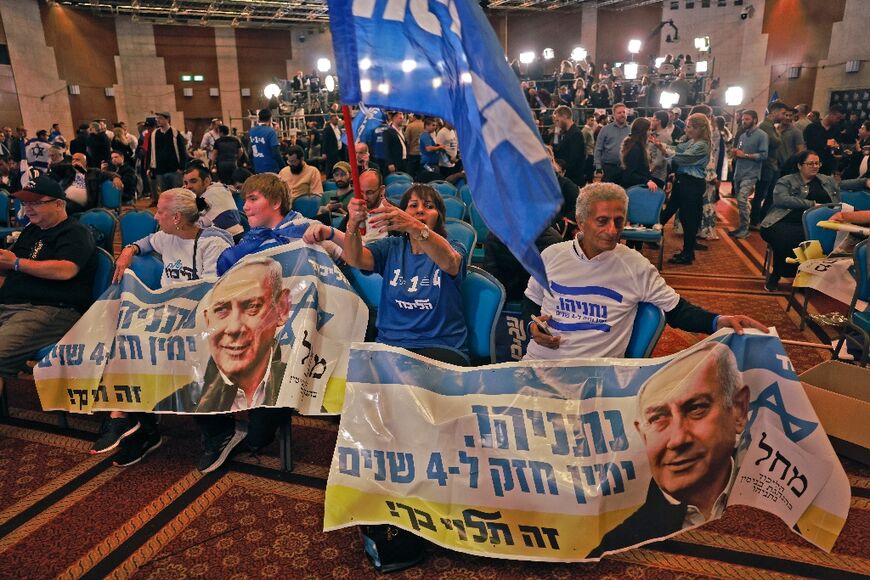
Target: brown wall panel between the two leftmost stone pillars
[(84, 48)]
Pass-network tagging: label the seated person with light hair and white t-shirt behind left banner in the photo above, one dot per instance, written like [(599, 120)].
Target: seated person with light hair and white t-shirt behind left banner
[(189, 253)]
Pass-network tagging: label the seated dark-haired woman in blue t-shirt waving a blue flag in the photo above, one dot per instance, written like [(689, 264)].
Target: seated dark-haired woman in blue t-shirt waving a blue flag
[(420, 308)]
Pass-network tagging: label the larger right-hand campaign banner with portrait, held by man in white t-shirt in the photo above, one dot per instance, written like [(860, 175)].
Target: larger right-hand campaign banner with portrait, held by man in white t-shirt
[(569, 460)]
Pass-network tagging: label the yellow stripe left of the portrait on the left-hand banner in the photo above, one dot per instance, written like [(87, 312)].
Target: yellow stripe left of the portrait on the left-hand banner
[(120, 392)]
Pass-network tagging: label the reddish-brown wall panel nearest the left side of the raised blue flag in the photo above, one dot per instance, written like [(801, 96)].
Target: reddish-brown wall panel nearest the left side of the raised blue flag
[(262, 54)]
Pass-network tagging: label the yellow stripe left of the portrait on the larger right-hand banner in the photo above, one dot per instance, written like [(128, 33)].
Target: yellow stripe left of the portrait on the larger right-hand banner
[(513, 534)]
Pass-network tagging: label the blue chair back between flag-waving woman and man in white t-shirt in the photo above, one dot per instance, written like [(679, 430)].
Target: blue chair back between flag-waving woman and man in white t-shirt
[(482, 300)]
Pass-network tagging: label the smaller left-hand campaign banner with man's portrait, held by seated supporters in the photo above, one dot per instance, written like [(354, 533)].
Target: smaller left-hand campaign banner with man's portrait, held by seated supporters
[(274, 331)]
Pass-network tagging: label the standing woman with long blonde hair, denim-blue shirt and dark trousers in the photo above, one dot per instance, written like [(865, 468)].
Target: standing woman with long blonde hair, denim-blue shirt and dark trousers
[(689, 160)]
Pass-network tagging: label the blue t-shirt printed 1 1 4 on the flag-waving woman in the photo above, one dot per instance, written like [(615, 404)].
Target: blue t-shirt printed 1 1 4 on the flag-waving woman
[(421, 306)]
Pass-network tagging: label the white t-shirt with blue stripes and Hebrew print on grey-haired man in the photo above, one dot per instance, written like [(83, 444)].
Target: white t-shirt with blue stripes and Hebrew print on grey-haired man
[(593, 302)]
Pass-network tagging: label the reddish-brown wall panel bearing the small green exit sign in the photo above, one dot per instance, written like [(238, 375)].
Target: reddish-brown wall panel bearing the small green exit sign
[(190, 50)]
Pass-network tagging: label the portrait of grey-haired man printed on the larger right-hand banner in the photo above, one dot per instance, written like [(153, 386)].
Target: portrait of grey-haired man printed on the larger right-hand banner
[(690, 416)]
